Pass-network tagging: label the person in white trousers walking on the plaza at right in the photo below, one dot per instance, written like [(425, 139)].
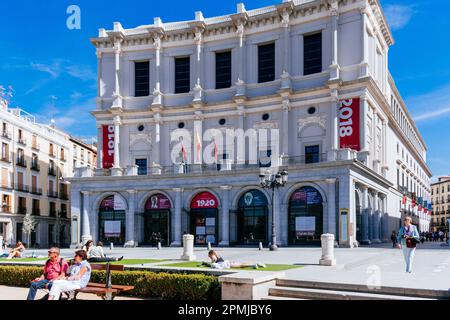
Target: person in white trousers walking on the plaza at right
[(407, 238)]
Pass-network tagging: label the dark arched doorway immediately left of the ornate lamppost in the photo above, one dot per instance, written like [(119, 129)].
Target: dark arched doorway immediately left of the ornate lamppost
[(252, 218)]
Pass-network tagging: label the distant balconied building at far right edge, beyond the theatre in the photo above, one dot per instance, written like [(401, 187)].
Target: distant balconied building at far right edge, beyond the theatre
[(440, 200)]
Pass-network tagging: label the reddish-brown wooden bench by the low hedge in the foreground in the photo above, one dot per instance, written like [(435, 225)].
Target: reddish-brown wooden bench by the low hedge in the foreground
[(106, 291)]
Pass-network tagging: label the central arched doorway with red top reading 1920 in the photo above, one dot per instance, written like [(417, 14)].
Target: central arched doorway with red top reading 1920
[(204, 218)]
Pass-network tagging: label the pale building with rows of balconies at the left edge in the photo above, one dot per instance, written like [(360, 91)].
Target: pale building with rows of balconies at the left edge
[(36, 159)]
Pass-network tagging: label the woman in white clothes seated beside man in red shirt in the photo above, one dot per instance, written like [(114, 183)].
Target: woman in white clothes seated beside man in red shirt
[(80, 273)]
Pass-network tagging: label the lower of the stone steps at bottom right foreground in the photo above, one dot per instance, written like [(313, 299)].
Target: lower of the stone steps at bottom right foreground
[(320, 294)]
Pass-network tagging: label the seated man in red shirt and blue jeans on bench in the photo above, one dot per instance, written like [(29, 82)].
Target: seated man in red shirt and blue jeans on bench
[(55, 268)]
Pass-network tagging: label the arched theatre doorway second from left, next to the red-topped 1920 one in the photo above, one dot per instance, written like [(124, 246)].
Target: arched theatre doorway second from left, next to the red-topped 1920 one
[(157, 220)]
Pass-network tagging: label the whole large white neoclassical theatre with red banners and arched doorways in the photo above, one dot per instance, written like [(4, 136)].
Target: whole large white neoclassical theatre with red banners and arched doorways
[(316, 71)]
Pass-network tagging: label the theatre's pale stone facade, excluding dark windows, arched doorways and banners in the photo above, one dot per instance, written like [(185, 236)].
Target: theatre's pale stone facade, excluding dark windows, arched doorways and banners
[(355, 42)]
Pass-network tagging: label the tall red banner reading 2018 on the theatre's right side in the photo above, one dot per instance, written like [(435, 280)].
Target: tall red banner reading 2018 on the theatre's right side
[(348, 117)]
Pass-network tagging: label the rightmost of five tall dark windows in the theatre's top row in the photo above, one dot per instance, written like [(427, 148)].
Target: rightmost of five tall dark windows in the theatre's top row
[(312, 53)]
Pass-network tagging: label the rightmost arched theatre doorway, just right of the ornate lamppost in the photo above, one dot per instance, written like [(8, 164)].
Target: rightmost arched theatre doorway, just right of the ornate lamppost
[(305, 216)]
